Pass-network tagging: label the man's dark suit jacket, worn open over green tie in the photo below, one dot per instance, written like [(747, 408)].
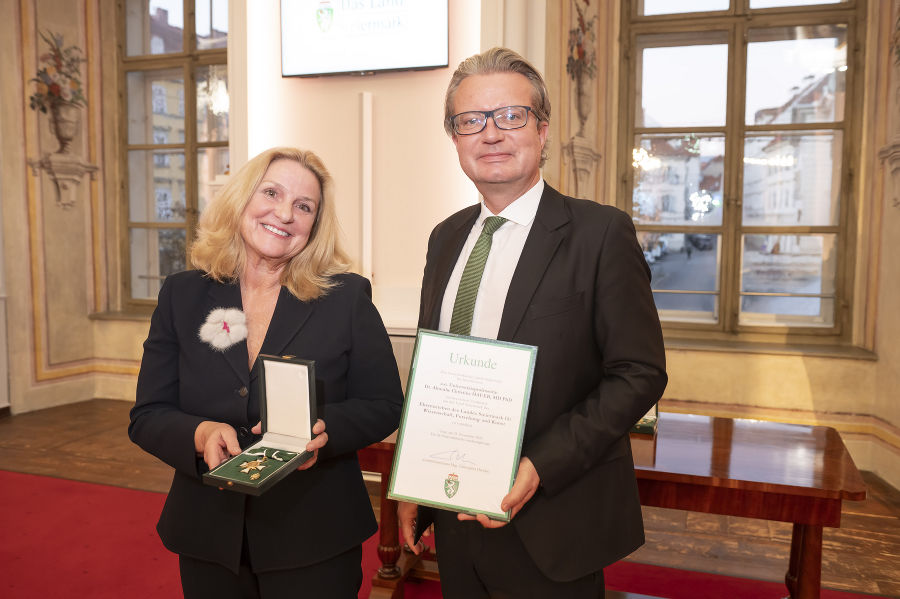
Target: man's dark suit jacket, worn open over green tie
[(581, 294)]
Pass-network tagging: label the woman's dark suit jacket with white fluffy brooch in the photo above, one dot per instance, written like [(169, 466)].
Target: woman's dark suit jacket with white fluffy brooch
[(310, 515)]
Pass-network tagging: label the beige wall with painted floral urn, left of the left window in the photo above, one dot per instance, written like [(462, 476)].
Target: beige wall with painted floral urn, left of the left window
[(54, 215)]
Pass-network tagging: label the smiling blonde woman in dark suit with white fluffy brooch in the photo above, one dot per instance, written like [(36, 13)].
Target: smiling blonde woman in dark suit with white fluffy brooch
[(267, 252)]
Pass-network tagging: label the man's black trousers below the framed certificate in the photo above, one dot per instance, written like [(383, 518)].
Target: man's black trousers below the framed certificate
[(479, 563)]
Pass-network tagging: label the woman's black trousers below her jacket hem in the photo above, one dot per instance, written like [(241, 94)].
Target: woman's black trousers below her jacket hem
[(338, 577)]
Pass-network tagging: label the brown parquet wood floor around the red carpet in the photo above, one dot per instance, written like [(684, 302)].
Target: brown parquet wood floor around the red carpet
[(88, 441)]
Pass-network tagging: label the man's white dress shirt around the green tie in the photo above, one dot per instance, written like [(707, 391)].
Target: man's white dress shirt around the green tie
[(506, 247)]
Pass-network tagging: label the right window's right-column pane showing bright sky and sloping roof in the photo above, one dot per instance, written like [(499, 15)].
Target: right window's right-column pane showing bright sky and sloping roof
[(796, 74)]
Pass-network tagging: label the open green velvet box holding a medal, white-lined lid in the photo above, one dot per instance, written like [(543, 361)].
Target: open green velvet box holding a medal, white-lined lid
[(287, 401)]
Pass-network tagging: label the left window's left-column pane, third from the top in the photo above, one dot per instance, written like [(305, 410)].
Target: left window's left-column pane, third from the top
[(156, 186)]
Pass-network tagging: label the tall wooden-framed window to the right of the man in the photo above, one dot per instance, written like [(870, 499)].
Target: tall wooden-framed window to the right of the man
[(739, 134)]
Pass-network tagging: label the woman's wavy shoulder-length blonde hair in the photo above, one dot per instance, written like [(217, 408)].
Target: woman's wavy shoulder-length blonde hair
[(219, 248)]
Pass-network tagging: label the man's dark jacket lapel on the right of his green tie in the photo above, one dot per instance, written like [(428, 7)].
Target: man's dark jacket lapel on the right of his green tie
[(546, 234)]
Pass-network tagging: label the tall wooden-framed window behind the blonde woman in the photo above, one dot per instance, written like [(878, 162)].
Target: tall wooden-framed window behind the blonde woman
[(175, 136)]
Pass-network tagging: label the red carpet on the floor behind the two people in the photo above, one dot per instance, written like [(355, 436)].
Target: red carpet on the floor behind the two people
[(67, 539)]
